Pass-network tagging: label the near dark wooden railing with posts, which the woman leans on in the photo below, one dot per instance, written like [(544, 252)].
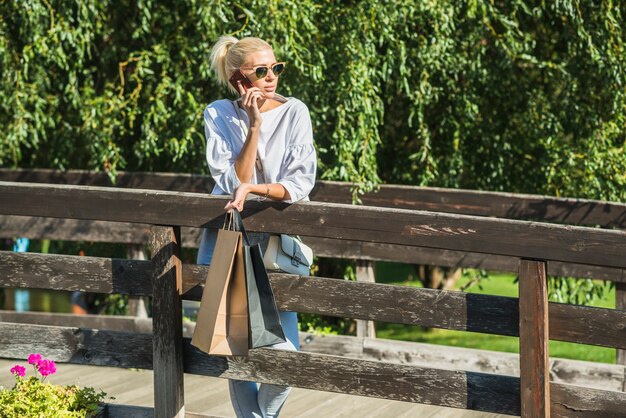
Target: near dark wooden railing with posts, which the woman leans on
[(163, 277)]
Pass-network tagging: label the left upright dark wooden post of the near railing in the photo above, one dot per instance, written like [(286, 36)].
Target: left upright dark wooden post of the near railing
[(167, 322)]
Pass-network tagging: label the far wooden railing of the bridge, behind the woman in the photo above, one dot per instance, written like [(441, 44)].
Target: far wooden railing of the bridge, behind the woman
[(467, 202)]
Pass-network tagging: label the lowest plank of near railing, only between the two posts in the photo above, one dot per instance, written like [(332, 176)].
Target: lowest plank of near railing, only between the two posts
[(360, 377)]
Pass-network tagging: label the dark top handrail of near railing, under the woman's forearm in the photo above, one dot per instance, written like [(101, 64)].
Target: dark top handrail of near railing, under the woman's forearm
[(418, 228)]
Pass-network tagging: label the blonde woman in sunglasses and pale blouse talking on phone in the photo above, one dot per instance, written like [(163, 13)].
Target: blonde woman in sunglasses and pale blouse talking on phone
[(260, 144)]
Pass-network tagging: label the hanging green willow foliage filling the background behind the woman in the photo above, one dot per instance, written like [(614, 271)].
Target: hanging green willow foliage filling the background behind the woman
[(516, 95)]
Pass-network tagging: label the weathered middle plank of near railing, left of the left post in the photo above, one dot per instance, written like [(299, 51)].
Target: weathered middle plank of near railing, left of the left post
[(75, 273)]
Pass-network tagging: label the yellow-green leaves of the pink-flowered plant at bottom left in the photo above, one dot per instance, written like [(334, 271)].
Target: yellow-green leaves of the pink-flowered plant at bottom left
[(33, 398)]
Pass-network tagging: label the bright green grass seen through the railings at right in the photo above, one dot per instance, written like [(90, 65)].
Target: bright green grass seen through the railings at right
[(499, 284)]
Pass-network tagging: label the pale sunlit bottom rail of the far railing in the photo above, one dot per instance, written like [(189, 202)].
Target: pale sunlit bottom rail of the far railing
[(580, 373)]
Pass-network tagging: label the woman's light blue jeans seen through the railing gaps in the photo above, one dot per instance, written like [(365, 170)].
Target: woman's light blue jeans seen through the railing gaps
[(250, 399)]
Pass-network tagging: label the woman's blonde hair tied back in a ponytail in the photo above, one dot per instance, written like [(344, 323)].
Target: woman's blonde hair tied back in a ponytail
[(229, 53)]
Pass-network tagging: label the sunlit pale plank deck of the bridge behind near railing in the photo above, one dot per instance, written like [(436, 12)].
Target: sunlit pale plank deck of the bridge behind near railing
[(207, 395)]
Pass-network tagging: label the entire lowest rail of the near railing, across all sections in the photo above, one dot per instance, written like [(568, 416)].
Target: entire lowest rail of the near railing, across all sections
[(457, 389)]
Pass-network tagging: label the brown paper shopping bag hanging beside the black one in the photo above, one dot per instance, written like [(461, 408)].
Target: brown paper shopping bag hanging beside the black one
[(222, 325)]
